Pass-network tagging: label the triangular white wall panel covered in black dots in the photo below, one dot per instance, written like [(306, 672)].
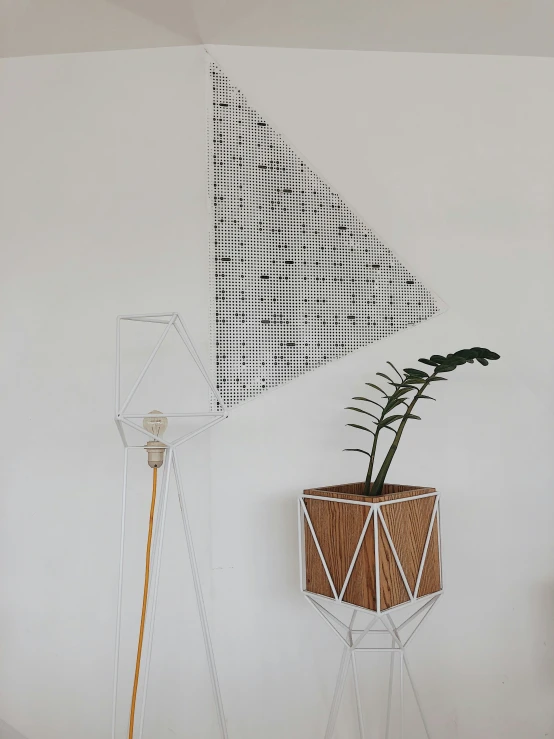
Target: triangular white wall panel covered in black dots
[(298, 279)]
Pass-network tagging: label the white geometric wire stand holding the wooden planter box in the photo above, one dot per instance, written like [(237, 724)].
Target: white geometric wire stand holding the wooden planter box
[(364, 629)]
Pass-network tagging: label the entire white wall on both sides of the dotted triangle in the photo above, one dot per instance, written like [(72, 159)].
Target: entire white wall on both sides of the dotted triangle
[(450, 159)]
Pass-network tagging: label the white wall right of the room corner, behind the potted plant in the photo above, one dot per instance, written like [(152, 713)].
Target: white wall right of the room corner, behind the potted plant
[(450, 159)]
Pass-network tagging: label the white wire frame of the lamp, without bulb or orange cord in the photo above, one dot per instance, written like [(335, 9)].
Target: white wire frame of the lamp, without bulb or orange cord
[(125, 421)]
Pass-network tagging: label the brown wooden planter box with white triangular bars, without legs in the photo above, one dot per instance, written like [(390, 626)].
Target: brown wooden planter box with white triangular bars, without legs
[(375, 553)]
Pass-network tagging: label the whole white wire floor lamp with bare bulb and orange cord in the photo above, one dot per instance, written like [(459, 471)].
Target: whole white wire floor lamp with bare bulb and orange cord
[(161, 455)]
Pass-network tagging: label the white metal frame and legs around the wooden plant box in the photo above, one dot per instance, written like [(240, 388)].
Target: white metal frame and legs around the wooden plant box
[(381, 622)]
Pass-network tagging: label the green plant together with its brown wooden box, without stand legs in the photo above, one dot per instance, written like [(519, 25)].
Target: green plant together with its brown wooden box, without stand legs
[(374, 544)]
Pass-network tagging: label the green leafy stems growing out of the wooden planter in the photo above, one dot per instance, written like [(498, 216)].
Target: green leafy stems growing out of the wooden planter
[(398, 403)]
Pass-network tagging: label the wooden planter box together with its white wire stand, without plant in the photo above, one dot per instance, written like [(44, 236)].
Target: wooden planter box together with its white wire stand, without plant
[(371, 569)]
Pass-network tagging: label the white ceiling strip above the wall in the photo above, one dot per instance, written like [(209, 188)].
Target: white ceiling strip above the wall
[(513, 27)]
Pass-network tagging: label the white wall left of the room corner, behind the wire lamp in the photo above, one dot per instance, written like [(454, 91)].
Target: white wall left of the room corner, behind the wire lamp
[(103, 212)]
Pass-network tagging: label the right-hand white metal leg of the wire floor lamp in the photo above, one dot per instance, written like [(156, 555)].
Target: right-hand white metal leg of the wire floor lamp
[(200, 603)]
